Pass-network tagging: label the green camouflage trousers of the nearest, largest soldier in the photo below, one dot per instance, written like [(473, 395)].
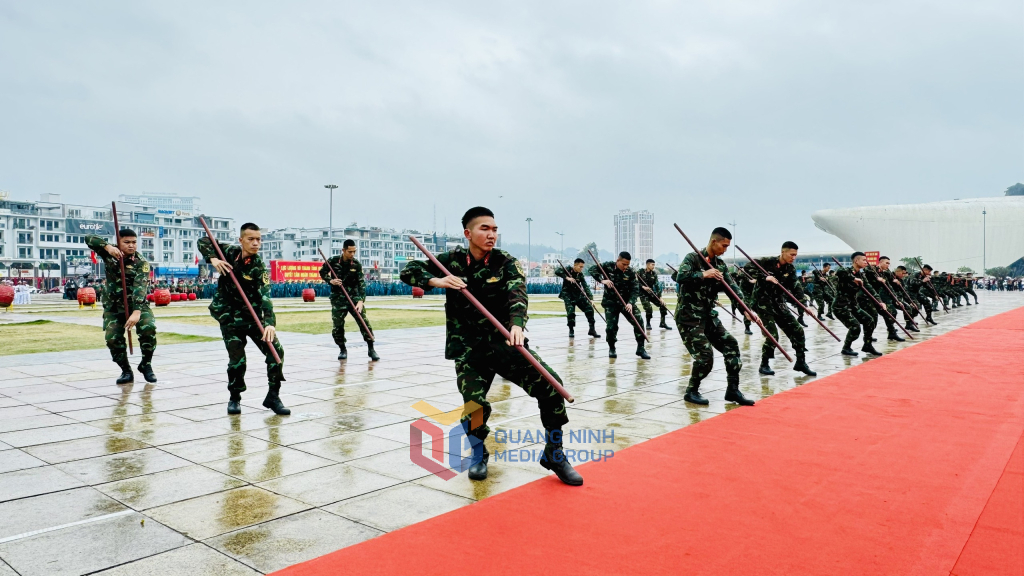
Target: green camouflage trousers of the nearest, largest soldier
[(476, 372)]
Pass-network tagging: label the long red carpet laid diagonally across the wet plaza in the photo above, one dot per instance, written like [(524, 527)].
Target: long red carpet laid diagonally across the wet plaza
[(902, 466)]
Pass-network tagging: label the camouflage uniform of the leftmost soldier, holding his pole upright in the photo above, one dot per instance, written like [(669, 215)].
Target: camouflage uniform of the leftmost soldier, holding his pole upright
[(138, 281)]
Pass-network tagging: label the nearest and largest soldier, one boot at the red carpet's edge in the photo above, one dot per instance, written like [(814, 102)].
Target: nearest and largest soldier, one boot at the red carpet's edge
[(480, 352)]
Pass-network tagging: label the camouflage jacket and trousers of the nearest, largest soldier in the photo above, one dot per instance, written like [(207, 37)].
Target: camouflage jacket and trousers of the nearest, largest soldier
[(479, 350)]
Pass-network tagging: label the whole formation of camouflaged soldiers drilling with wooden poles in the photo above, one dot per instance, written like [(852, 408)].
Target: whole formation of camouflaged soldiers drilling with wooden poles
[(762, 292)]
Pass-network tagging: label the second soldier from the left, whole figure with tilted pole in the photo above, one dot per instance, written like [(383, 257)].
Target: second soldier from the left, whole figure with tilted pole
[(237, 323)]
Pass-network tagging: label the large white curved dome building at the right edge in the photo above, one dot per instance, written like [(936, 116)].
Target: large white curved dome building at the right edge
[(948, 235)]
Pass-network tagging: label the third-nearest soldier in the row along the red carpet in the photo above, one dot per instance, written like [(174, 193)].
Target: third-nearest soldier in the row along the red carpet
[(771, 304)]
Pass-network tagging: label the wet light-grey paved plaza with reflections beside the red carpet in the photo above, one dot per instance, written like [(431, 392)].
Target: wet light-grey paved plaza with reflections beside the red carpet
[(157, 479)]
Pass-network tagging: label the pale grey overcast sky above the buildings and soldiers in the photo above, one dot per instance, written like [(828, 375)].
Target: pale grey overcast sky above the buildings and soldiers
[(703, 112)]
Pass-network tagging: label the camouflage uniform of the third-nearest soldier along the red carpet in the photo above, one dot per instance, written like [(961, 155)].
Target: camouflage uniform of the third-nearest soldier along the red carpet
[(771, 305)]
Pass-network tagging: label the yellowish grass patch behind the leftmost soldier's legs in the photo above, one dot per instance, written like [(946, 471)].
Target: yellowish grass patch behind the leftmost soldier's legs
[(44, 336)]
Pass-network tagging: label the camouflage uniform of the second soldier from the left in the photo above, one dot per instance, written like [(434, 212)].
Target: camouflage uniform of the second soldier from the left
[(236, 322)]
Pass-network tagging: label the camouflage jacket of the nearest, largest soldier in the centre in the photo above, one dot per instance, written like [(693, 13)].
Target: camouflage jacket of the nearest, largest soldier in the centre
[(498, 282)]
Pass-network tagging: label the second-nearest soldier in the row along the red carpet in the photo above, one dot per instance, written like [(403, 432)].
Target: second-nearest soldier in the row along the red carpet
[(700, 279)]
